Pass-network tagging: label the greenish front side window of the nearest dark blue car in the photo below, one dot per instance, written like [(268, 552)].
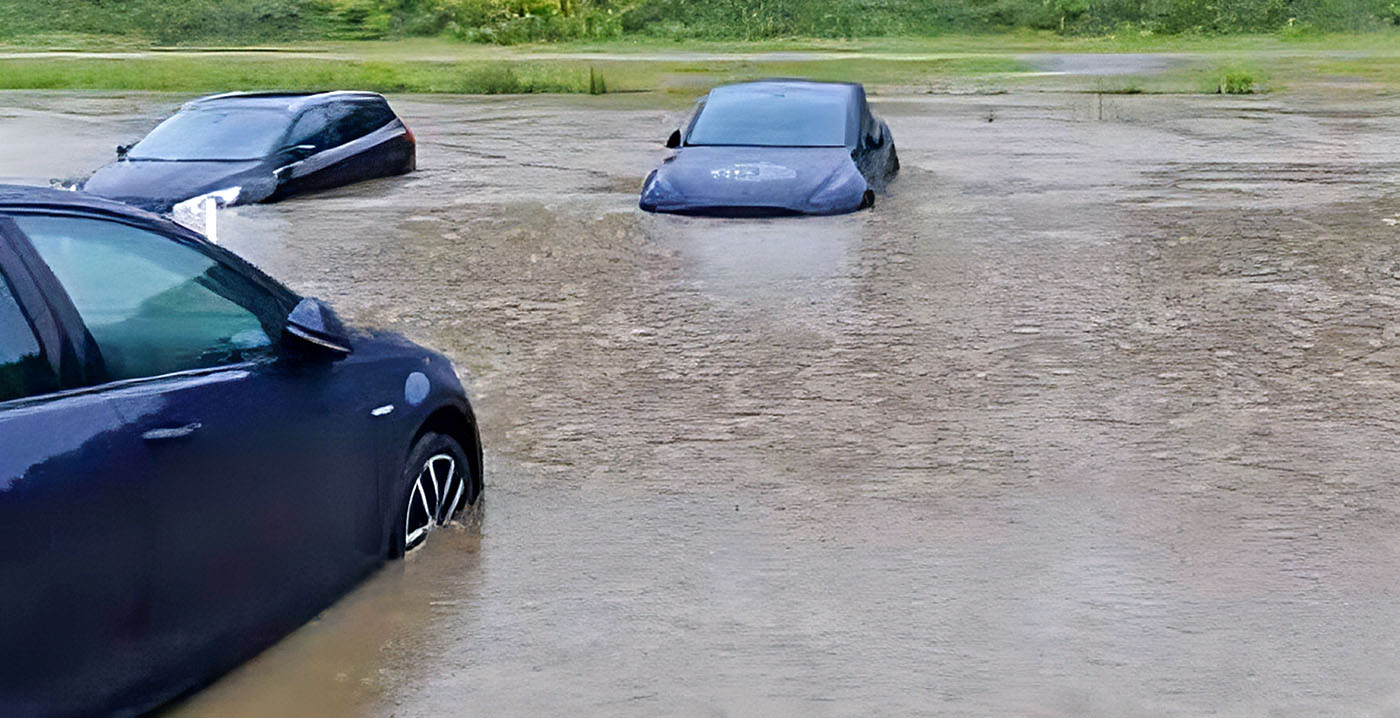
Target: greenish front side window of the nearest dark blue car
[(152, 304)]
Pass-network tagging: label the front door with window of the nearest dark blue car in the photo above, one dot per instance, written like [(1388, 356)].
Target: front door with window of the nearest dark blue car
[(258, 464)]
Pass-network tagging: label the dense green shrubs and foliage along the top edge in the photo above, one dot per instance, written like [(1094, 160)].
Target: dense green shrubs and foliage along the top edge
[(514, 22)]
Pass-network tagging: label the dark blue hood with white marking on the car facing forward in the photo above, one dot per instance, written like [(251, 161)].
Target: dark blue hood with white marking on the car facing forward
[(785, 180)]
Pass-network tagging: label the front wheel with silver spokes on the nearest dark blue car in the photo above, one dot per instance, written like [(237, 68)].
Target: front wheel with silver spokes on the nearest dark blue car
[(436, 485)]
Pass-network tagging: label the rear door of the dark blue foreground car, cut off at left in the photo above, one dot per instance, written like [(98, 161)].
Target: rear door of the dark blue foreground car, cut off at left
[(75, 519)]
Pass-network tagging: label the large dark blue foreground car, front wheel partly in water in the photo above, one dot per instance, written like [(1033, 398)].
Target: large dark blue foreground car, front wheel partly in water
[(194, 460)]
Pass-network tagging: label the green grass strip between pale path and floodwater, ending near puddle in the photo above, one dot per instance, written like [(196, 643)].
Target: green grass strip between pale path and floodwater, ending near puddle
[(384, 73)]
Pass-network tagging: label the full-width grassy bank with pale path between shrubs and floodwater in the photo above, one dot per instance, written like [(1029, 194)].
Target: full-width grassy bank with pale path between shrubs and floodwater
[(985, 64)]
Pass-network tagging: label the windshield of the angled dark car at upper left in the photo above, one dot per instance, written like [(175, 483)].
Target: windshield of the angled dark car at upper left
[(215, 135)]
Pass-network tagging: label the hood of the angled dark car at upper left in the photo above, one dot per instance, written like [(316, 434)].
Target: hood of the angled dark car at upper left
[(159, 185)]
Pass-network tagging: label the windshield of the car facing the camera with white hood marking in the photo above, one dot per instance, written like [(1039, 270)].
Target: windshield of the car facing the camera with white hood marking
[(771, 120)]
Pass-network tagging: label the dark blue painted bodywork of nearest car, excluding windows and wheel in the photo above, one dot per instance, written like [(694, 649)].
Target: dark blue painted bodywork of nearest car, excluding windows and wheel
[(142, 559)]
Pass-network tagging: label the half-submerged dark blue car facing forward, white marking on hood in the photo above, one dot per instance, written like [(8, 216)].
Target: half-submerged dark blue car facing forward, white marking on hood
[(776, 148)]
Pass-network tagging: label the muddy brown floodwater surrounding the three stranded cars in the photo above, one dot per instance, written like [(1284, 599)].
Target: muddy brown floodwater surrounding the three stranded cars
[(1094, 415)]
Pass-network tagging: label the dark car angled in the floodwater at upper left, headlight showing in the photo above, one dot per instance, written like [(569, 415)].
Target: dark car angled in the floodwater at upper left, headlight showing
[(258, 148)]
